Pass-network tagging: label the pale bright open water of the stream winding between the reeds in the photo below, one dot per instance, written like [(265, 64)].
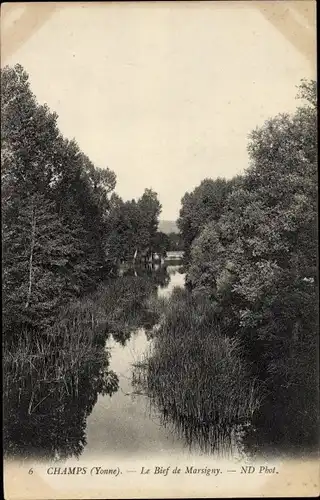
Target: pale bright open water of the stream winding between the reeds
[(128, 422)]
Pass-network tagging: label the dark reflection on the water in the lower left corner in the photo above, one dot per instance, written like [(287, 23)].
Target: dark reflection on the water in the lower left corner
[(46, 418)]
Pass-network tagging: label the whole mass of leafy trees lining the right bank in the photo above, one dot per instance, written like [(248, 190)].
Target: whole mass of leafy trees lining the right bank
[(251, 249)]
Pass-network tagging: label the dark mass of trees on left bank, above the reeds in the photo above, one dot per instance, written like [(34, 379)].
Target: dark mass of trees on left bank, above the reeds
[(63, 228)]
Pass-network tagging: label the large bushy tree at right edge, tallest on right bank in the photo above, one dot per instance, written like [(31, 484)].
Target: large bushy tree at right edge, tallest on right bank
[(266, 238)]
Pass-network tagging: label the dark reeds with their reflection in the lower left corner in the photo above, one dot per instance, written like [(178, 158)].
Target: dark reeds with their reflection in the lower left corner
[(49, 391)]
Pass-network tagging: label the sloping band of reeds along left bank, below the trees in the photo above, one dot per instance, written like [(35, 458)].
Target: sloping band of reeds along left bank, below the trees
[(81, 328)]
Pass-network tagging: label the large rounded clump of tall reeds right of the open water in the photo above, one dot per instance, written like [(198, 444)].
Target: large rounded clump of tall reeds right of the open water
[(196, 375)]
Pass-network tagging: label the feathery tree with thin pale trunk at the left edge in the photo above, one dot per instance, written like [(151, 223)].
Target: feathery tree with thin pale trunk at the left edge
[(38, 250)]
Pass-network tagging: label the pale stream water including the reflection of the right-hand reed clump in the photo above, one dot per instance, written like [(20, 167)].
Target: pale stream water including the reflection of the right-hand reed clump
[(134, 422)]
